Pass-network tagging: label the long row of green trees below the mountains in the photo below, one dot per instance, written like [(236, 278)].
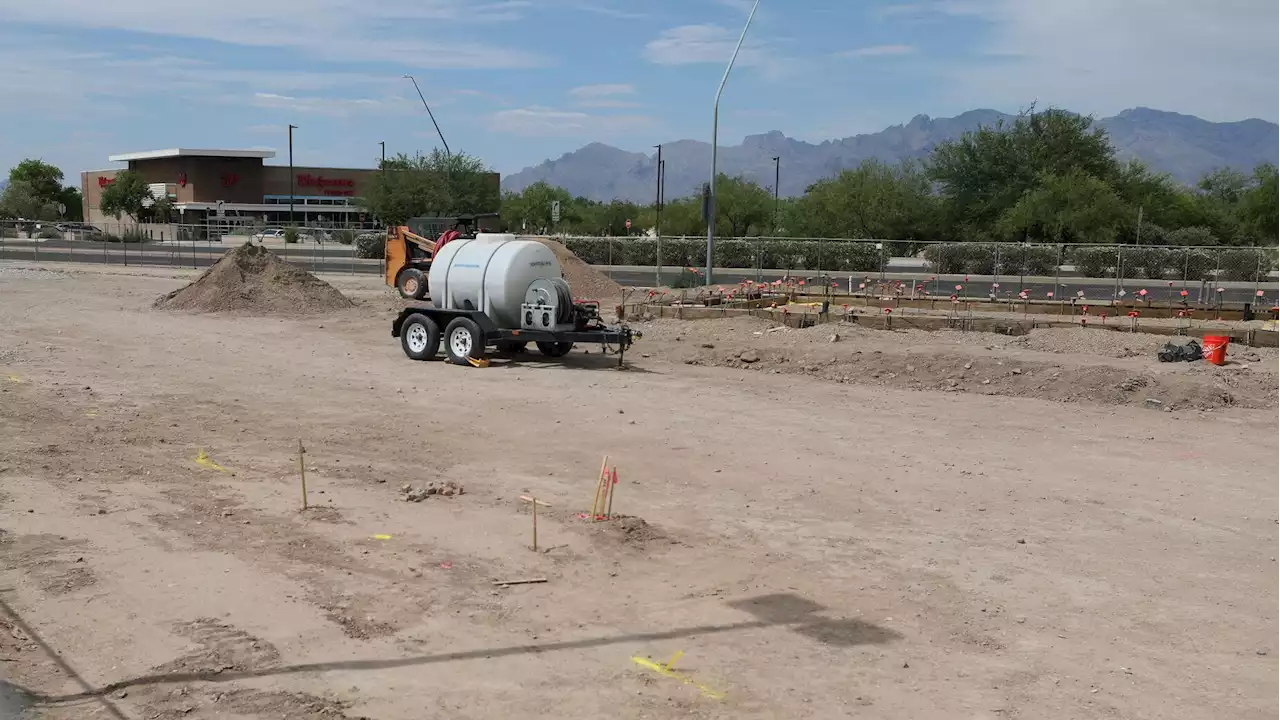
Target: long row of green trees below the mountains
[(1044, 177)]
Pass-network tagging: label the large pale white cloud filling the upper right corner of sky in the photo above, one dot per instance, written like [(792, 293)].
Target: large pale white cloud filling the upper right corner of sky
[(1213, 60)]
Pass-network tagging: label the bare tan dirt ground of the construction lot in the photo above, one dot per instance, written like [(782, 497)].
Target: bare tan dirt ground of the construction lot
[(862, 528)]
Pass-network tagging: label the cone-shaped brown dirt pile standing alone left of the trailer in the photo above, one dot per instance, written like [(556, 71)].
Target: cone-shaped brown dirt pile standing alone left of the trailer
[(253, 280)]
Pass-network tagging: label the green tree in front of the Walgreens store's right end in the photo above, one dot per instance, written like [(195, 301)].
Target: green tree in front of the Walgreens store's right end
[(435, 185)]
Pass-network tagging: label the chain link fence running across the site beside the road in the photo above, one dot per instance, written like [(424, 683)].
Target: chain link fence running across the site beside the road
[(1204, 276)]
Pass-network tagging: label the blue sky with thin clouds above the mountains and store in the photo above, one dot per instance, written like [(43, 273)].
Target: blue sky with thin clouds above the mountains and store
[(519, 81)]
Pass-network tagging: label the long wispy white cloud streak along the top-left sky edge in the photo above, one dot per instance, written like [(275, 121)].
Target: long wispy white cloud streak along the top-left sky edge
[(331, 30)]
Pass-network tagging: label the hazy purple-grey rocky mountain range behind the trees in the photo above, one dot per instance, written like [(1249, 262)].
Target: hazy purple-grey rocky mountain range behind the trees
[(1185, 147)]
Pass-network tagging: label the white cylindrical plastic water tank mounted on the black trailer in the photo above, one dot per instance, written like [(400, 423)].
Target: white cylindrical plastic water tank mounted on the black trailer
[(490, 274)]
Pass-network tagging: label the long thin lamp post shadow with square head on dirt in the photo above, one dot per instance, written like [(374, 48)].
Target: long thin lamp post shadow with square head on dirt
[(781, 610)]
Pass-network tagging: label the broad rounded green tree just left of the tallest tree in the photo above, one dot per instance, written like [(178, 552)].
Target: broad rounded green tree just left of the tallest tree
[(876, 200)]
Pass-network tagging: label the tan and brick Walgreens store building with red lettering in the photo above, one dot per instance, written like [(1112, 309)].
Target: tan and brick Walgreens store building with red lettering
[(237, 184)]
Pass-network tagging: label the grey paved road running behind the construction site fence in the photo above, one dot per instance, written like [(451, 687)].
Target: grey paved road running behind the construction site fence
[(340, 259)]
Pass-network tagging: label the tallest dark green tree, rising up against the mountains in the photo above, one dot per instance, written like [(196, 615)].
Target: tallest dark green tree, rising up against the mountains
[(986, 174)]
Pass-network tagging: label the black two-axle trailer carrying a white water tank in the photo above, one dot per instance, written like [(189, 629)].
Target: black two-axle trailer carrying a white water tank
[(497, 291)]
